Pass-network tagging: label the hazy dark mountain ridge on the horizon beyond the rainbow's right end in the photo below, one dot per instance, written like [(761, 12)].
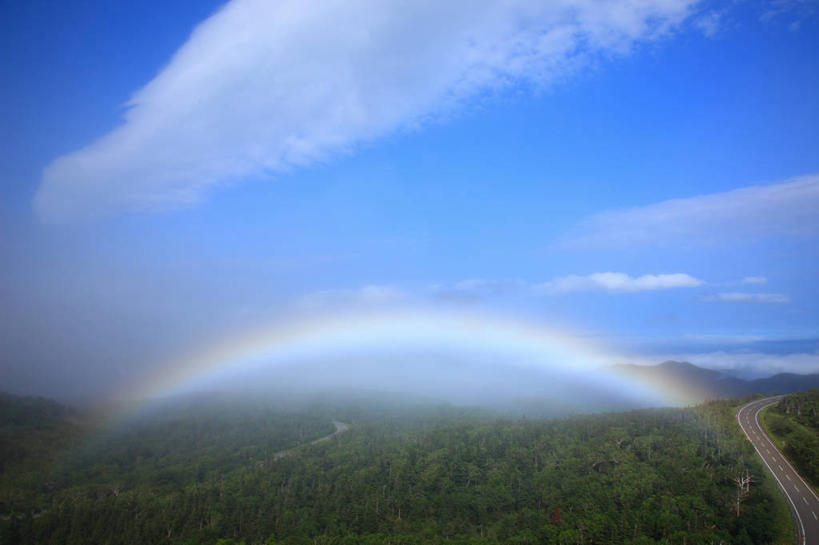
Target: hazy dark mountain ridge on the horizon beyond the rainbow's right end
[(703, 384)]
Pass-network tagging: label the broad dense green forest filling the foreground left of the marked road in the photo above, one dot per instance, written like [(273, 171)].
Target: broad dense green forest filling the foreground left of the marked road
[(207, 473)]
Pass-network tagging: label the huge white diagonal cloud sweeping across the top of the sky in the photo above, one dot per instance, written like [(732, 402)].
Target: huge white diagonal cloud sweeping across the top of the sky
[(264, 86)]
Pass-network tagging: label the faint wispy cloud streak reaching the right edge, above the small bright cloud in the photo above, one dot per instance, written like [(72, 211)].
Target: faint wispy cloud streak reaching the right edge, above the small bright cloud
[(787, 208)]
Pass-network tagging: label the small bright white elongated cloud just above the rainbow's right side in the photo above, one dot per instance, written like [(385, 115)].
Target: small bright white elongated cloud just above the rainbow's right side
[(617, 282)]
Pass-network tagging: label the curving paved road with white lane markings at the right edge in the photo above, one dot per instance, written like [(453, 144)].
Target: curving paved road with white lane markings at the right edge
[(804, 501)]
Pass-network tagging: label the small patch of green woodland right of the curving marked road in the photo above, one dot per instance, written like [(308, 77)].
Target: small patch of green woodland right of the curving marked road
[(794, 421)]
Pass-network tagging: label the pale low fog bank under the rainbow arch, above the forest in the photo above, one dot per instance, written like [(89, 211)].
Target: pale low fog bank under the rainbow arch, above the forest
[(435, 379)]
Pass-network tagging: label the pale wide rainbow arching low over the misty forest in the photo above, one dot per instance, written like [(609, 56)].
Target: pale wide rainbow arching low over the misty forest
[(469, 335)]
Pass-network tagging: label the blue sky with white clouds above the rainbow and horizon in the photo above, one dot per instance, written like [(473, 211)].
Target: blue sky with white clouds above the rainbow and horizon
[(645, 175)]
